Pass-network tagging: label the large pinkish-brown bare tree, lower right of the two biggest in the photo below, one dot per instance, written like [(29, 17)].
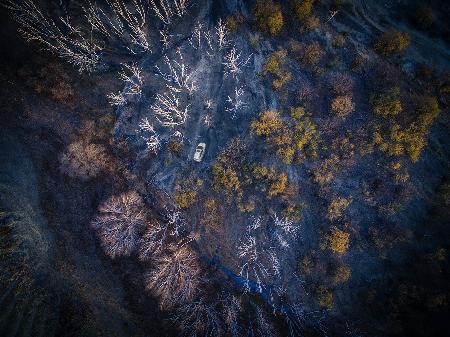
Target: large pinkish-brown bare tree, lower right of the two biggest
[(176, 276)]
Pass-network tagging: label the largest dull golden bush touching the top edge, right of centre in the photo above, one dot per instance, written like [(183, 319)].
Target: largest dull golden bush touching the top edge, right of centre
[(268, 16)]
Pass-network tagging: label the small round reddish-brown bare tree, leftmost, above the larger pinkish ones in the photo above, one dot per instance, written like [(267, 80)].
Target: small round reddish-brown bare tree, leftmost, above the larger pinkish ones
[(84, 160)]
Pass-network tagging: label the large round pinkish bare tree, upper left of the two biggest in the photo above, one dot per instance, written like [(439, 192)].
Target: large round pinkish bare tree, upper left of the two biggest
[(120, 223)]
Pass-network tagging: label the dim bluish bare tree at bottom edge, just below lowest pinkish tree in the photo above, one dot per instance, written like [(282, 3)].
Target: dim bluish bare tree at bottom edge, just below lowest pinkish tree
[(199, 318)]
